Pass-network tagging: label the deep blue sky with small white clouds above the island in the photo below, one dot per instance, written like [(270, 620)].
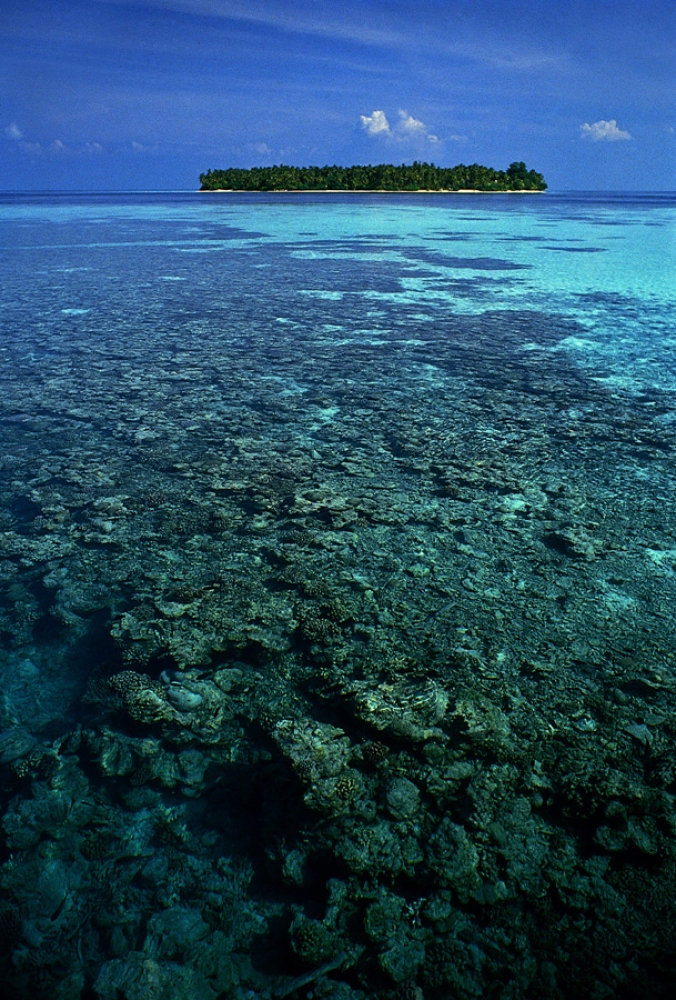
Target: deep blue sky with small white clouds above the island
[(122, 94)]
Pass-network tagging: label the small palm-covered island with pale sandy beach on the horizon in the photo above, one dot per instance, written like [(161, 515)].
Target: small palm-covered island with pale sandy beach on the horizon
[(382, 177)]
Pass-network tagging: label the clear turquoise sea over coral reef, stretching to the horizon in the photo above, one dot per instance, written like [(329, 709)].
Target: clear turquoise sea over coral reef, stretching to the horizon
[(338, 576)]
